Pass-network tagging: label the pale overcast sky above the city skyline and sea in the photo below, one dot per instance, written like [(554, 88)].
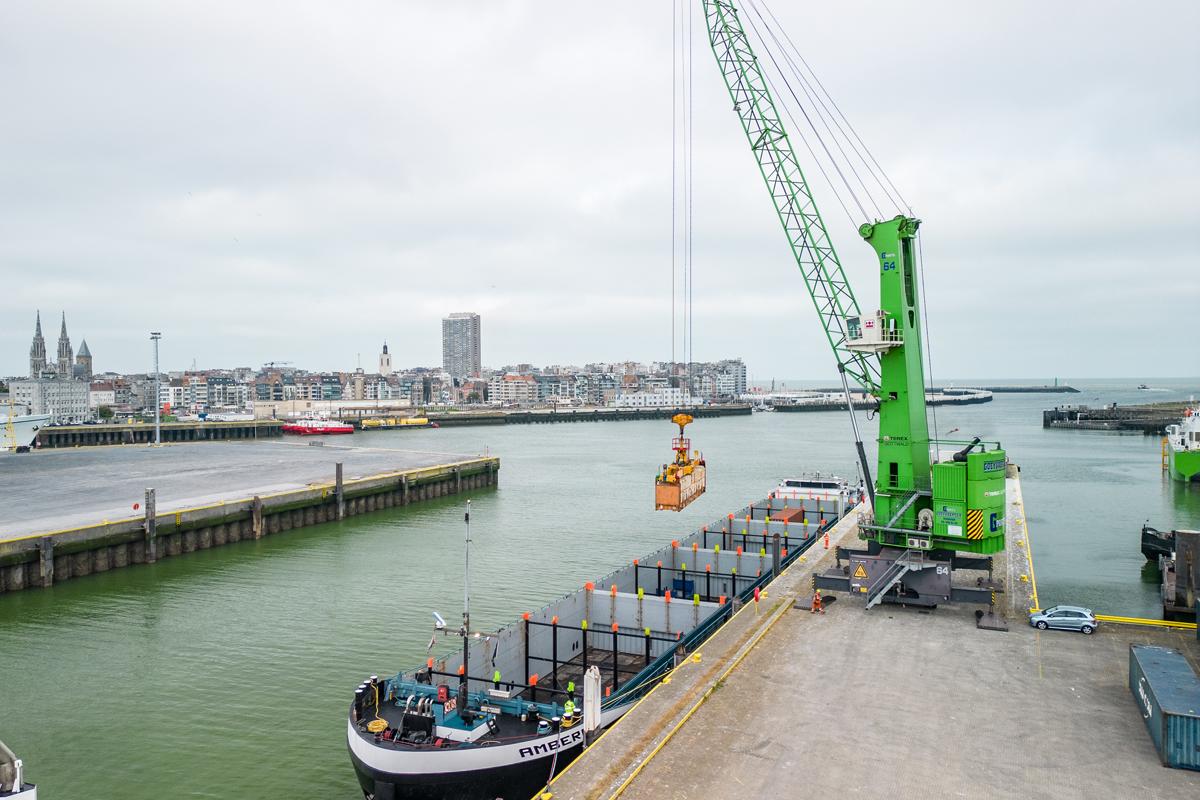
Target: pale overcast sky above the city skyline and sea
[(299, 182)]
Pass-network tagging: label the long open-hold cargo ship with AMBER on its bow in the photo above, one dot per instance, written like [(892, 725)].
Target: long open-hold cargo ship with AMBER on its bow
[(499, 718)]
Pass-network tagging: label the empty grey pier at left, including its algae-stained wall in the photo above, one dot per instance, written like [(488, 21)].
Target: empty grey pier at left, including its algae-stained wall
[(41, 551)]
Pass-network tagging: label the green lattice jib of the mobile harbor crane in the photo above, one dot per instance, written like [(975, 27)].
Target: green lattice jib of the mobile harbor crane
[(802, 222)]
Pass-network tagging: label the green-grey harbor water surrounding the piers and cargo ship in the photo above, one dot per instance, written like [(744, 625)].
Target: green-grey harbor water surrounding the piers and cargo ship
[(229, 673)]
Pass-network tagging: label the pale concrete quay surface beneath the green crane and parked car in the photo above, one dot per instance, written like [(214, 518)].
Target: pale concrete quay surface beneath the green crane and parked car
[(892, 702)]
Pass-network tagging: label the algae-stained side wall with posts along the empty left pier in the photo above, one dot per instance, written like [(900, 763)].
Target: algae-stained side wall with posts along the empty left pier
[(44, 560)]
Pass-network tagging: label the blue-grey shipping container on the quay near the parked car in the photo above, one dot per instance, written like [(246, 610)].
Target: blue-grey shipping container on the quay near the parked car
[(1167, 693)]
